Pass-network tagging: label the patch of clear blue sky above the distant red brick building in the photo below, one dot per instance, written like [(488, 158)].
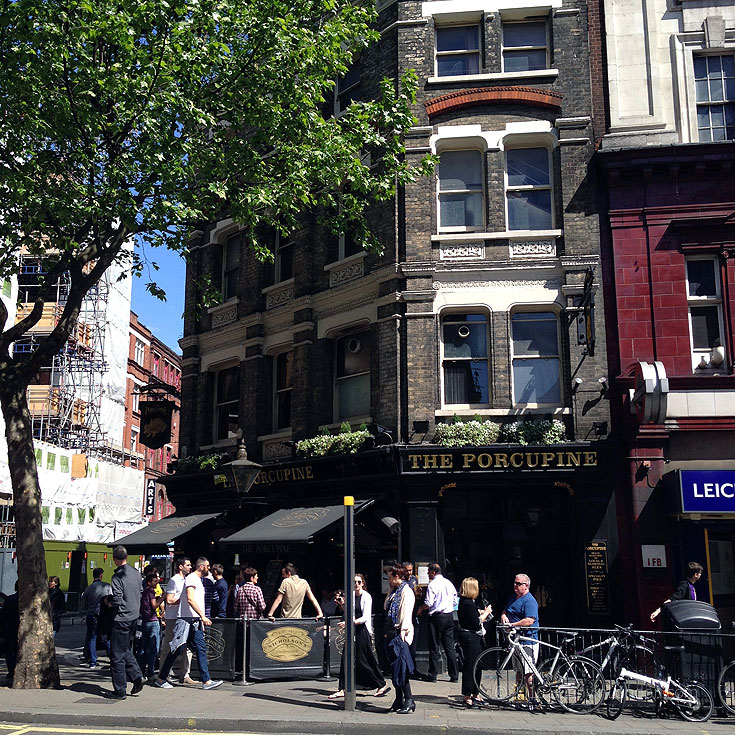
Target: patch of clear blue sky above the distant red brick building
[(163, 318)]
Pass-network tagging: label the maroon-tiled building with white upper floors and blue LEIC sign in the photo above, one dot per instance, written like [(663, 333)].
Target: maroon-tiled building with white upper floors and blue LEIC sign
[(666, 162)]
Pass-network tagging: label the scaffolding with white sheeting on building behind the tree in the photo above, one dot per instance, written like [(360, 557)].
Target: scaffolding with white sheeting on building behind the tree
[(65, 398)]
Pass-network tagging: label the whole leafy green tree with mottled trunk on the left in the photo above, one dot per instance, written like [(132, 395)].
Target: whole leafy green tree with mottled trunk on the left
[(138, 119)]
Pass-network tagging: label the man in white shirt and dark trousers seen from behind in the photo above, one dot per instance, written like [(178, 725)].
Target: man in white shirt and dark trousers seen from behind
[(441, 602)]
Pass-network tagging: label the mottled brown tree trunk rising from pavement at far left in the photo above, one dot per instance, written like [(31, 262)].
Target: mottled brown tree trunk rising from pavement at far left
[(37, 667)]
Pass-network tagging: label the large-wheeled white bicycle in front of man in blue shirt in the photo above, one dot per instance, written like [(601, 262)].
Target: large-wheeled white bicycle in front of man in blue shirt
[(575, 683)]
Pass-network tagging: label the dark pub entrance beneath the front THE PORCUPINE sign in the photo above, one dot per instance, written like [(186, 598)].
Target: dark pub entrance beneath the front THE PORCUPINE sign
[(493, 532)]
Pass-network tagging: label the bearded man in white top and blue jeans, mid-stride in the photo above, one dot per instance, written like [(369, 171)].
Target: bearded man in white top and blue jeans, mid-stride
[(189, 628)]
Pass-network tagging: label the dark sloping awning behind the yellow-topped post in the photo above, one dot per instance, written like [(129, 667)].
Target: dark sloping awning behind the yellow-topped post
[(292, 525)]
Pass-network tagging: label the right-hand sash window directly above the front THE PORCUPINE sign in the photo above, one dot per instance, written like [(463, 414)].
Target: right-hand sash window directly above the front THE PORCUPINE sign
[(536, 364)]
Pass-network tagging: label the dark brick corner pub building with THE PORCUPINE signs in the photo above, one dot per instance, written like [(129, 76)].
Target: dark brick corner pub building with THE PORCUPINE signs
[(481, 304)]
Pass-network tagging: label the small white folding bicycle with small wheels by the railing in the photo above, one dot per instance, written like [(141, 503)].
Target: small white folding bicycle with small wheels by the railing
[(690, 699)]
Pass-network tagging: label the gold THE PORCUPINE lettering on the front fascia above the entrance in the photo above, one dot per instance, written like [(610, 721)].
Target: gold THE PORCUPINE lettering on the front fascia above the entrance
[(469, 461)]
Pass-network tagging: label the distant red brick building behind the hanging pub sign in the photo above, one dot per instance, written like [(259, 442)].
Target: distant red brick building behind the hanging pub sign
[(154, 372)]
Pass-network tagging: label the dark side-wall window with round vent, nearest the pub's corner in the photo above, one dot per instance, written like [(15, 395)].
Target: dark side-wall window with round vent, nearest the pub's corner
[(352, 382)]
